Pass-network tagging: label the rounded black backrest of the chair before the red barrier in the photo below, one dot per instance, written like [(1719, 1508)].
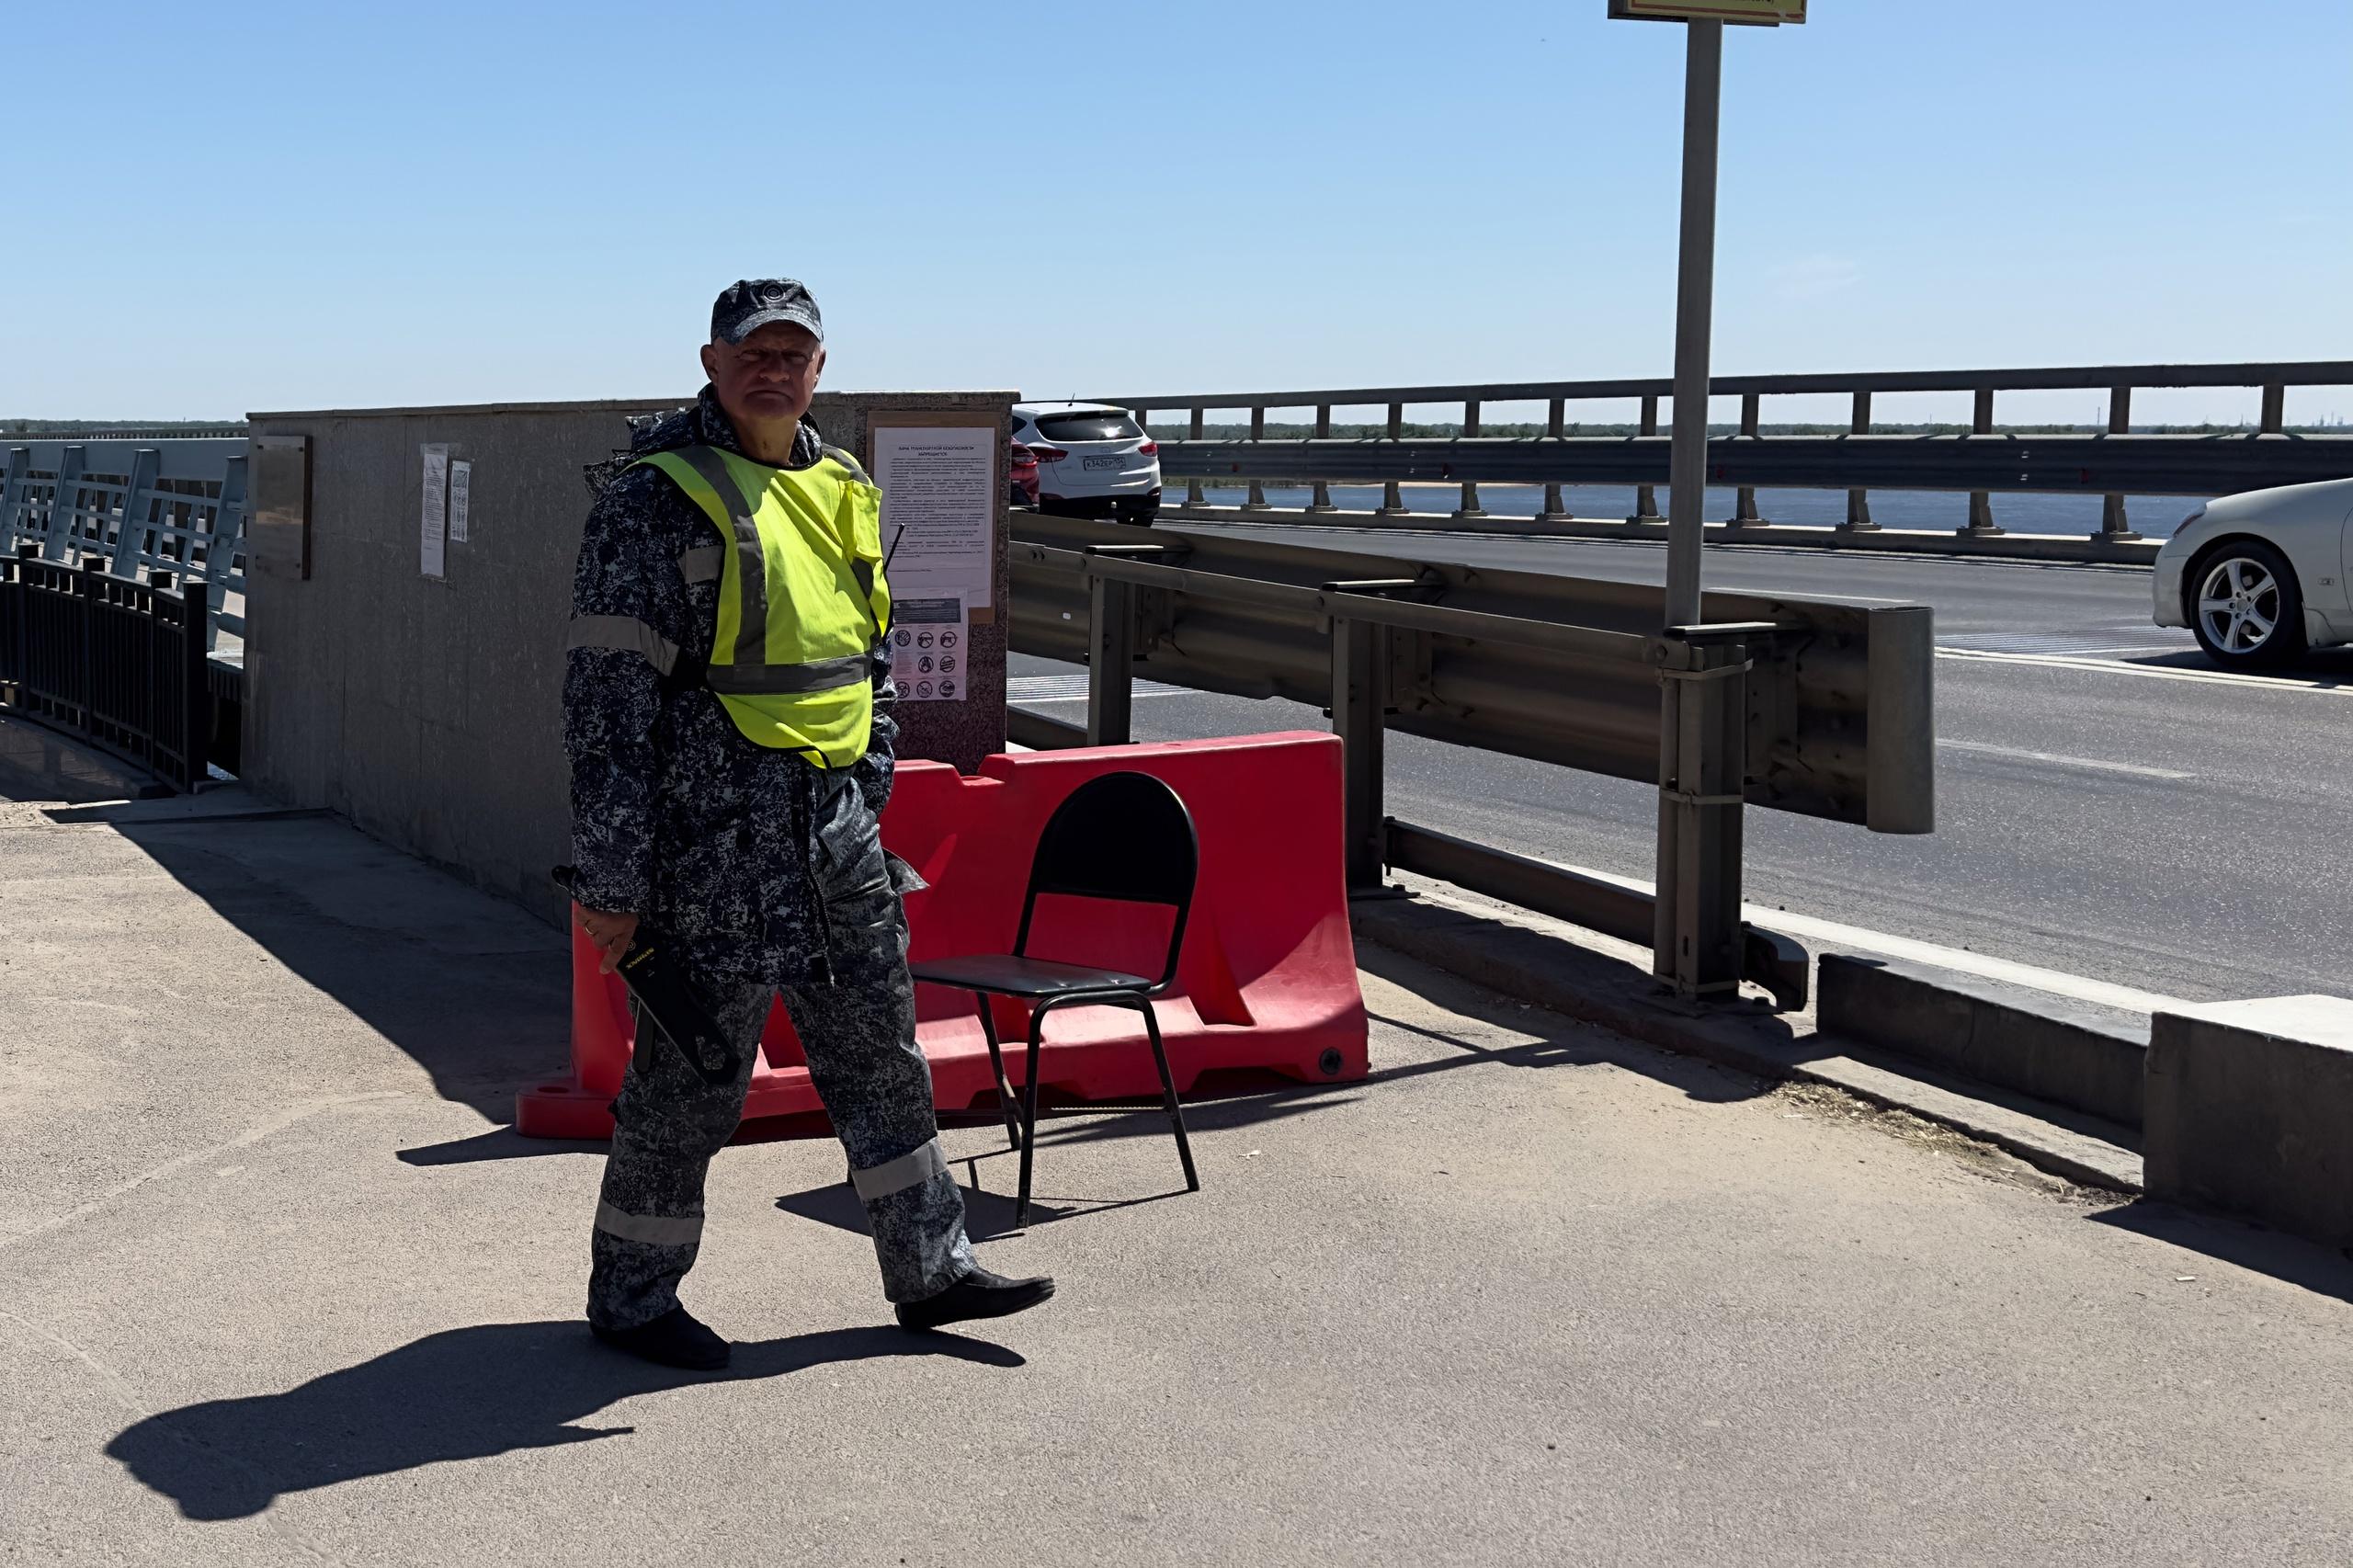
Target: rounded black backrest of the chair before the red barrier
[(1124, 837)]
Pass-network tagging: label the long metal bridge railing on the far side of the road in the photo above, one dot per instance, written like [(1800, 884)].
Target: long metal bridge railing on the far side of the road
[(1978, 463)]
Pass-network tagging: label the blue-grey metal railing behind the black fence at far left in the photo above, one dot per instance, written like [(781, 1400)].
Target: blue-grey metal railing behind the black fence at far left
[(135, 507)]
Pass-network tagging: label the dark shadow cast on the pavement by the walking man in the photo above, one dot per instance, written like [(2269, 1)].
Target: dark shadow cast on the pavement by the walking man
[(460, 1395)]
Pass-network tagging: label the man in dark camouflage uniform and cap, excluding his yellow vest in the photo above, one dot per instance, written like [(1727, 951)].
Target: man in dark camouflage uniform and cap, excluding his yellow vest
[(761, 872)]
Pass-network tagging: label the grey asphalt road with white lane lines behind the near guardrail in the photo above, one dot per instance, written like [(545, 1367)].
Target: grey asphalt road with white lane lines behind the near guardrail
[(2109, 804)]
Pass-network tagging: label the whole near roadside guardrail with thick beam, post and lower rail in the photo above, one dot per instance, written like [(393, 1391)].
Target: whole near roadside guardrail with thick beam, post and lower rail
[(1806, 705)]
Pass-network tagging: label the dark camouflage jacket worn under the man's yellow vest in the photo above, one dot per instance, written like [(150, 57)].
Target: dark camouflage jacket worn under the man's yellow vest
[(676, 818)]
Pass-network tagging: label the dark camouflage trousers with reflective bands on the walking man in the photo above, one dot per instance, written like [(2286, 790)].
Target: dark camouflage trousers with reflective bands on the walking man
[(860, 1039)]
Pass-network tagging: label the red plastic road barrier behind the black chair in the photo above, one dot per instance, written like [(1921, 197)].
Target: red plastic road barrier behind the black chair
[(1267, 976)]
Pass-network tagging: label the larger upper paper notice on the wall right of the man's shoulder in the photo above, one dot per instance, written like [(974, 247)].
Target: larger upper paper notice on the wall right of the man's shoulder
[(940, 510)]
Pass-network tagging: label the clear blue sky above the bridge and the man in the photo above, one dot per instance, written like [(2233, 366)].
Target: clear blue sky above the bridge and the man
[(291, 206)]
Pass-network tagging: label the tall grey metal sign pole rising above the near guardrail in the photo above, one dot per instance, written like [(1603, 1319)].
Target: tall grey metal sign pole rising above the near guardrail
[(1695, 307)]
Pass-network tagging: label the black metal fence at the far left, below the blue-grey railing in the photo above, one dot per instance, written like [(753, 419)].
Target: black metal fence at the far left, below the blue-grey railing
[(114, 660)]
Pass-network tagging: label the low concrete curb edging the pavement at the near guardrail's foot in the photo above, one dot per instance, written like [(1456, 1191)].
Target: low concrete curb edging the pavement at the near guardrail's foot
[(1559, 969)]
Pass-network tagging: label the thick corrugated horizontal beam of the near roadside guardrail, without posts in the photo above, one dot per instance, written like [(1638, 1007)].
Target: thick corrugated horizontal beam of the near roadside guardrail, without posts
[(1839, 715)]
